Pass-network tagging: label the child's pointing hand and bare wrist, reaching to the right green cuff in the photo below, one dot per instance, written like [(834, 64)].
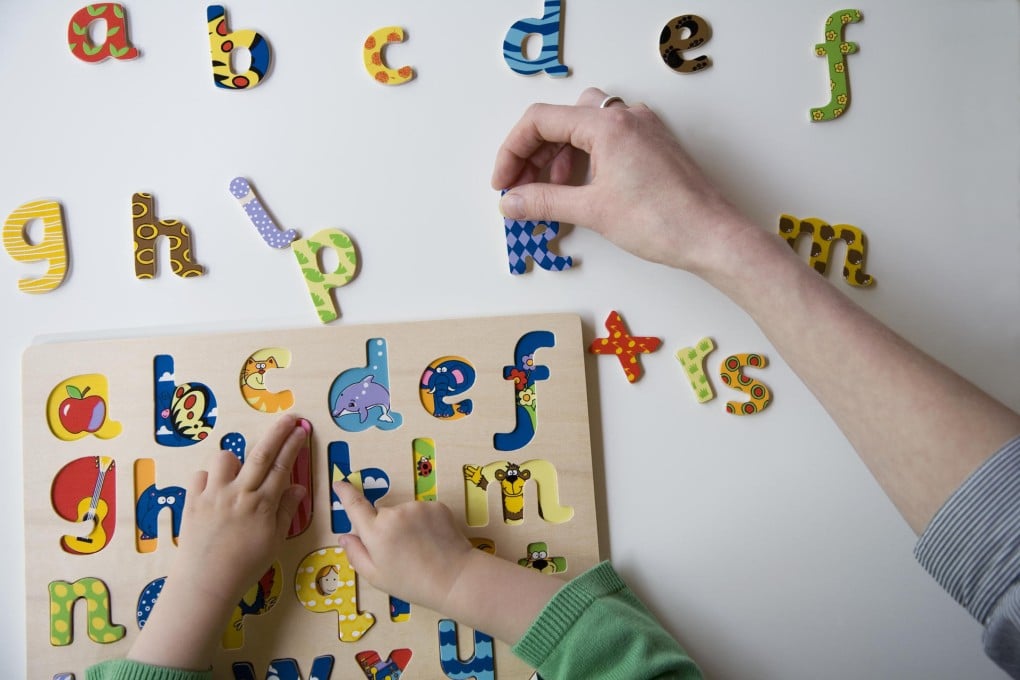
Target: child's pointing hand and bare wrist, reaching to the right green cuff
[(416, 552)]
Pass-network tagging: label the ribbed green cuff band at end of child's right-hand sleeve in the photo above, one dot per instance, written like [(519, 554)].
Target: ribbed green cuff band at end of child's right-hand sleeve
[(565, 610)]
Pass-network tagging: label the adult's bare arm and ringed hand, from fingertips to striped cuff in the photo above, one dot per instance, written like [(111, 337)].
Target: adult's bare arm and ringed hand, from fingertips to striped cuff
[(920, 428)]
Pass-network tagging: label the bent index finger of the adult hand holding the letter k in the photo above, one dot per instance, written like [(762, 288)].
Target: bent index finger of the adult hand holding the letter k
[(541, 125)]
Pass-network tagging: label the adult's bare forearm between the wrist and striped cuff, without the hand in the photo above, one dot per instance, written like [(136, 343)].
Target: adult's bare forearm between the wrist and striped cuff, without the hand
[(921, 428)]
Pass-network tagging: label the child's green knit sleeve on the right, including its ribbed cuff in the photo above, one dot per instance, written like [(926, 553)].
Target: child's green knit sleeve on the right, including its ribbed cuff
[(596, 629)]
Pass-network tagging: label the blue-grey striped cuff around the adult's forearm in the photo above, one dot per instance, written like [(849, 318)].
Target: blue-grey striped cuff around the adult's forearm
[(973, 545)]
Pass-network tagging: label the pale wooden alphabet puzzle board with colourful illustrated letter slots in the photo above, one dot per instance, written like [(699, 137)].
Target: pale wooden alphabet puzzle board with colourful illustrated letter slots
[(114, 432)]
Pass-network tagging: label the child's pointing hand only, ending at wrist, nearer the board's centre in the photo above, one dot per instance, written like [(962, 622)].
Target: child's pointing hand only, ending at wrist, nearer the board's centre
[(413, 551)]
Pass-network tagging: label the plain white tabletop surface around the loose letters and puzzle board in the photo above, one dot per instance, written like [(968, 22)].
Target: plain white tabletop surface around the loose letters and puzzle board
[(762, 543)]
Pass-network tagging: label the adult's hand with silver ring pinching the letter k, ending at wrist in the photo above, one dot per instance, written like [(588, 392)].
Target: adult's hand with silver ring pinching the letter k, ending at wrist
[(646, 194)]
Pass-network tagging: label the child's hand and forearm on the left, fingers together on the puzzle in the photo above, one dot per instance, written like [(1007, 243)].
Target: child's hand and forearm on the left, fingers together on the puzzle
[(236, 518)]
